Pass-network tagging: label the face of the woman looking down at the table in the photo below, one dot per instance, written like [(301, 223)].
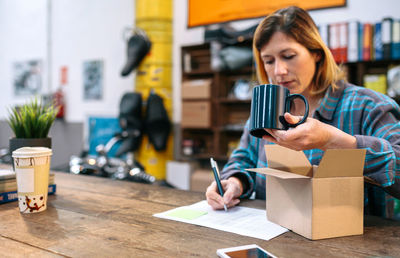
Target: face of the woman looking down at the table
[(288, 63)]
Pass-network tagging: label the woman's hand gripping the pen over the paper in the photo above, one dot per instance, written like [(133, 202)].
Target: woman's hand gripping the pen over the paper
[(233, 189)]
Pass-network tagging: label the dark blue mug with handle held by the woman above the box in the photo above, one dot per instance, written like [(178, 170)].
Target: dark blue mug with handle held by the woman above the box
[(268, 105)]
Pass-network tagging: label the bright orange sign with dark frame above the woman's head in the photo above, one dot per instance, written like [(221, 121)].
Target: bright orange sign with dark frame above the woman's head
[(205, 12)]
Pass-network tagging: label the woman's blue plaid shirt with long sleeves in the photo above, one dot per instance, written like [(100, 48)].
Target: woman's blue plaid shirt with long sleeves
[(371, 117)]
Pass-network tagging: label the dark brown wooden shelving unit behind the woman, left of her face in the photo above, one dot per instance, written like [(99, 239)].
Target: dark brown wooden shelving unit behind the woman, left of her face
[(228, 114)]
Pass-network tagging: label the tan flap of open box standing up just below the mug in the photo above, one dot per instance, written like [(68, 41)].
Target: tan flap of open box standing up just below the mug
[(281, 158)]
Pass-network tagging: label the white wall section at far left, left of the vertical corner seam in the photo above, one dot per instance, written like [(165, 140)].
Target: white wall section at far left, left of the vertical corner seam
[(23, 34)]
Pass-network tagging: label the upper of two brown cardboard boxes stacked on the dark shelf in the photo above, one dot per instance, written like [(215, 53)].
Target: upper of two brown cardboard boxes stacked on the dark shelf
[(196, 89)]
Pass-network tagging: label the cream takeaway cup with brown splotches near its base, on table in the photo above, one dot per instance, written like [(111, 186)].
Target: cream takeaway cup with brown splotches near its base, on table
[(32, 167)]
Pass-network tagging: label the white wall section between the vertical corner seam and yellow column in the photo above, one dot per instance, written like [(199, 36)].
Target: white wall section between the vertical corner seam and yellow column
[(91, 30)]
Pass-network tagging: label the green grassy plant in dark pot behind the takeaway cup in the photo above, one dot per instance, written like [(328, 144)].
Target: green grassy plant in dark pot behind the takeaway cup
[(31, 124)]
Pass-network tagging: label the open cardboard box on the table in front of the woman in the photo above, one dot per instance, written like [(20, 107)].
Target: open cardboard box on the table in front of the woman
[(315, 201)]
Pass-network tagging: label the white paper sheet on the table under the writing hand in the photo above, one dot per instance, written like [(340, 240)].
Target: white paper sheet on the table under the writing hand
[(239, 220)]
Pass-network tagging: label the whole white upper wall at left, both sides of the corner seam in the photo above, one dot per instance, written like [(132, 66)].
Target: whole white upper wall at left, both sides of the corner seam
[(80, 31)]
